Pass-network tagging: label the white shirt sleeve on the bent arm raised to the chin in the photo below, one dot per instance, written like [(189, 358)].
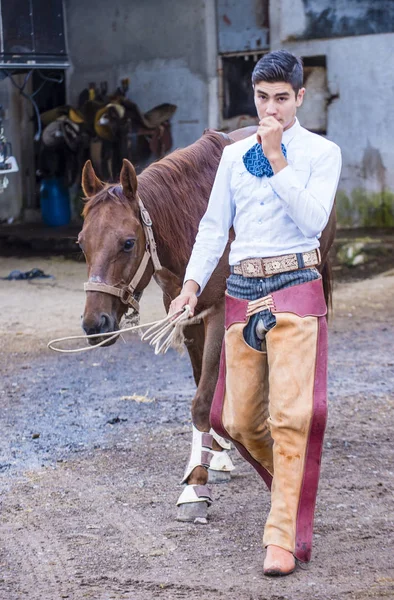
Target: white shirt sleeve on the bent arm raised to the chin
[(310, 206)]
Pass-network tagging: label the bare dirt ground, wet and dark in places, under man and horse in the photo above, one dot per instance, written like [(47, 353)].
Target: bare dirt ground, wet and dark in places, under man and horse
[(94, 445)]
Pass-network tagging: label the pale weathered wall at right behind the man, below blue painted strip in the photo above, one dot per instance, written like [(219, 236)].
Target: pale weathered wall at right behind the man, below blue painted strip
[(360, 117)]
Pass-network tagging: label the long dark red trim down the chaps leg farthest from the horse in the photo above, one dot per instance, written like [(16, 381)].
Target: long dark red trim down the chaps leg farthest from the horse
[(307, 501)]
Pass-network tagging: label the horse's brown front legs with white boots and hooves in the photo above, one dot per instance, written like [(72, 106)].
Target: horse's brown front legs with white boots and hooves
[(208, 449)]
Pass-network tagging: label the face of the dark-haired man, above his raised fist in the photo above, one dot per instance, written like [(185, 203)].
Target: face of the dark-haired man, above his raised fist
[(277, 100)]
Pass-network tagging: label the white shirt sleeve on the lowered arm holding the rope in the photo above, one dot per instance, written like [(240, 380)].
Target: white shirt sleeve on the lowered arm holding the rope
[(214, 227)]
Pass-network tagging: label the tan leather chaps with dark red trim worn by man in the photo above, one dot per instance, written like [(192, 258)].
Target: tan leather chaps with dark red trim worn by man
[(273, 406)]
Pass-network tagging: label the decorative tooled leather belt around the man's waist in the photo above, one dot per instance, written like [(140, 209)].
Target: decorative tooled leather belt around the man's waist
[(266, 267)]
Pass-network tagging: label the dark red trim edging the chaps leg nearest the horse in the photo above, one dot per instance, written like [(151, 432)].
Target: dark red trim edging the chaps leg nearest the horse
[(217, 424)]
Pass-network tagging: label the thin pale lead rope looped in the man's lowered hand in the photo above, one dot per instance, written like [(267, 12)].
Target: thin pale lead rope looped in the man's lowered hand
[(155, 332)]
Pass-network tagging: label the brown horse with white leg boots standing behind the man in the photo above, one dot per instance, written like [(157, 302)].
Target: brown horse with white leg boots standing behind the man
[(175, 191)]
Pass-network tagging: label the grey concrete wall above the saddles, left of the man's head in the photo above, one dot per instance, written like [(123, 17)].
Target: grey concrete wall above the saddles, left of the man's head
[(167, 49)]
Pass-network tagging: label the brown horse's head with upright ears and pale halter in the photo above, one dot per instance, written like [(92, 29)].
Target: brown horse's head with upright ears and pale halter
[(114, 243)]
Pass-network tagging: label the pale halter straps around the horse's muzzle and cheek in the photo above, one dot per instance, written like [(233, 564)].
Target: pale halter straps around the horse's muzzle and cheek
[(127, 294)]
